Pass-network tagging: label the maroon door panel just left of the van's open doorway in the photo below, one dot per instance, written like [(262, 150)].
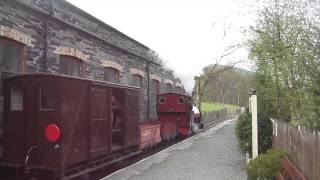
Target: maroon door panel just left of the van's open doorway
[(100, 132)]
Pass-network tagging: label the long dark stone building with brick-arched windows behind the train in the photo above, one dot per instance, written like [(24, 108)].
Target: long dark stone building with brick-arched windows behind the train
[(54, 36)]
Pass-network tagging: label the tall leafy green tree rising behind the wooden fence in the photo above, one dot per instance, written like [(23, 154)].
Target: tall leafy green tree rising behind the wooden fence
[(285, 48)]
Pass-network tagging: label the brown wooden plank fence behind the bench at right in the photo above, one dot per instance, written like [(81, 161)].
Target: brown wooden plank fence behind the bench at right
[(302, 145)]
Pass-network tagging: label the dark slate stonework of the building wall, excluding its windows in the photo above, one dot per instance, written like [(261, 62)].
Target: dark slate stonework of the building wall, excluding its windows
[(68, 26)]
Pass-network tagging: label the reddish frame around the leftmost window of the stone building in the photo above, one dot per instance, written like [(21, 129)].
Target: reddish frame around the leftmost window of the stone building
[(23, 54)]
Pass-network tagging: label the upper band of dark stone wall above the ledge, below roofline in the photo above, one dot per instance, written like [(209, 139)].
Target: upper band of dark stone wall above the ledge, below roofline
[(69, 13)]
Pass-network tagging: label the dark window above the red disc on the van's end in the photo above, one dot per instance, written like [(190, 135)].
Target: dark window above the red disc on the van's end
[(47, 98)]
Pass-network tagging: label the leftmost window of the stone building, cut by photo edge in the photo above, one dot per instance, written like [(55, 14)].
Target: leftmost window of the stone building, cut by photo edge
[(11, 54)]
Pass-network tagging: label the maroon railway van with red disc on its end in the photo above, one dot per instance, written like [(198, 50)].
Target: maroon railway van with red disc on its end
[(66, 127)]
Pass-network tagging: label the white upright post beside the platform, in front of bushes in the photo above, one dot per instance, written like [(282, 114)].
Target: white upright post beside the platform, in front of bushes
[(253, 108)]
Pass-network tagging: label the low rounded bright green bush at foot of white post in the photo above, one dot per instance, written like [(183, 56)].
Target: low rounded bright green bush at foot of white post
[(265, 166)]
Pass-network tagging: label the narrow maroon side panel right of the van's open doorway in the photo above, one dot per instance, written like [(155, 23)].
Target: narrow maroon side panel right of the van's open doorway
[(132, 118)]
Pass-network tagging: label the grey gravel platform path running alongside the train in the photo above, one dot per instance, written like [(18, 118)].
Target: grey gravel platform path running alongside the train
[(211, 155)]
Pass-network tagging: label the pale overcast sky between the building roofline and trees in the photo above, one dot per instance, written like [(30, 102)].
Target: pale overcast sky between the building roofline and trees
[(187, 34)]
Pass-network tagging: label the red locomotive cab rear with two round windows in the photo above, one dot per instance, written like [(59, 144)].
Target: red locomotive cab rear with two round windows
[(174, 113)]
